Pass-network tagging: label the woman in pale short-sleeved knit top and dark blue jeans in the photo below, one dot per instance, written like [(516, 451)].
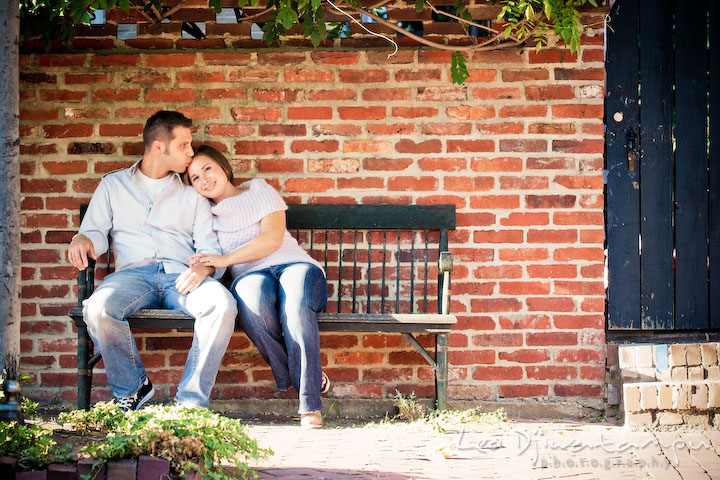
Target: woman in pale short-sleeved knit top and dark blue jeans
[(278, 286)]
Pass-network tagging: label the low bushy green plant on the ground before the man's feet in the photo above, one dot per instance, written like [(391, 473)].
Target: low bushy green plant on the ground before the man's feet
[(191, 438)]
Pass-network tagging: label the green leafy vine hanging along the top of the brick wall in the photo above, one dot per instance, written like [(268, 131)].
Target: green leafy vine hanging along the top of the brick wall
[(521, 21)]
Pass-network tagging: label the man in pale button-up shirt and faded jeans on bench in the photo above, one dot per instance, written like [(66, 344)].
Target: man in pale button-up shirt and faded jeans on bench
[(156, 223)]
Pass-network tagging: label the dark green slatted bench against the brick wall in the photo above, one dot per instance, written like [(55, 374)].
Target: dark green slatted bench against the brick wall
[(430, 218)]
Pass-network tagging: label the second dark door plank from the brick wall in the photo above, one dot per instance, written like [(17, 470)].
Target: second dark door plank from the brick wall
[(656, 166)]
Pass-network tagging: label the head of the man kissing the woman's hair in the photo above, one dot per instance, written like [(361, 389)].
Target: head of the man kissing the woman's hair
[(167, 139)]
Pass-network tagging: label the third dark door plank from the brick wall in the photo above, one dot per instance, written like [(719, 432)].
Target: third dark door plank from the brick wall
[(691, 208)]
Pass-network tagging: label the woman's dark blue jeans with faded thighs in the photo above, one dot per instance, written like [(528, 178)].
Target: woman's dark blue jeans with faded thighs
[(278, 308)]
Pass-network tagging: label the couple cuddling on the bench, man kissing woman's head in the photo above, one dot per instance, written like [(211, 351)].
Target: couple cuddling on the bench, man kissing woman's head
[(172, 244)]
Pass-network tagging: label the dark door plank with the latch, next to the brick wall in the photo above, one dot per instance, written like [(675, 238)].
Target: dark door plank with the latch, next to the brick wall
[(623, 207)]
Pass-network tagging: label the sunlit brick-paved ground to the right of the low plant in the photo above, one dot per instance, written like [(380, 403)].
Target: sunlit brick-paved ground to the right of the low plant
[(519, 449)]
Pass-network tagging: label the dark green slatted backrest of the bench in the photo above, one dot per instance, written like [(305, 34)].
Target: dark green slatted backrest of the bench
[(378, 258)]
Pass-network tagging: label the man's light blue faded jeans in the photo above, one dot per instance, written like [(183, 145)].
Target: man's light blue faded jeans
[(125, 292)]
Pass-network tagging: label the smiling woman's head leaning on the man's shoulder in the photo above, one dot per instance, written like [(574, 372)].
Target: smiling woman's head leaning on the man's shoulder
[(210, 173)]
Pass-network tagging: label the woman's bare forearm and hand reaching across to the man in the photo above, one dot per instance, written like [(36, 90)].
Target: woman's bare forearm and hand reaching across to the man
[(272, 230)]
